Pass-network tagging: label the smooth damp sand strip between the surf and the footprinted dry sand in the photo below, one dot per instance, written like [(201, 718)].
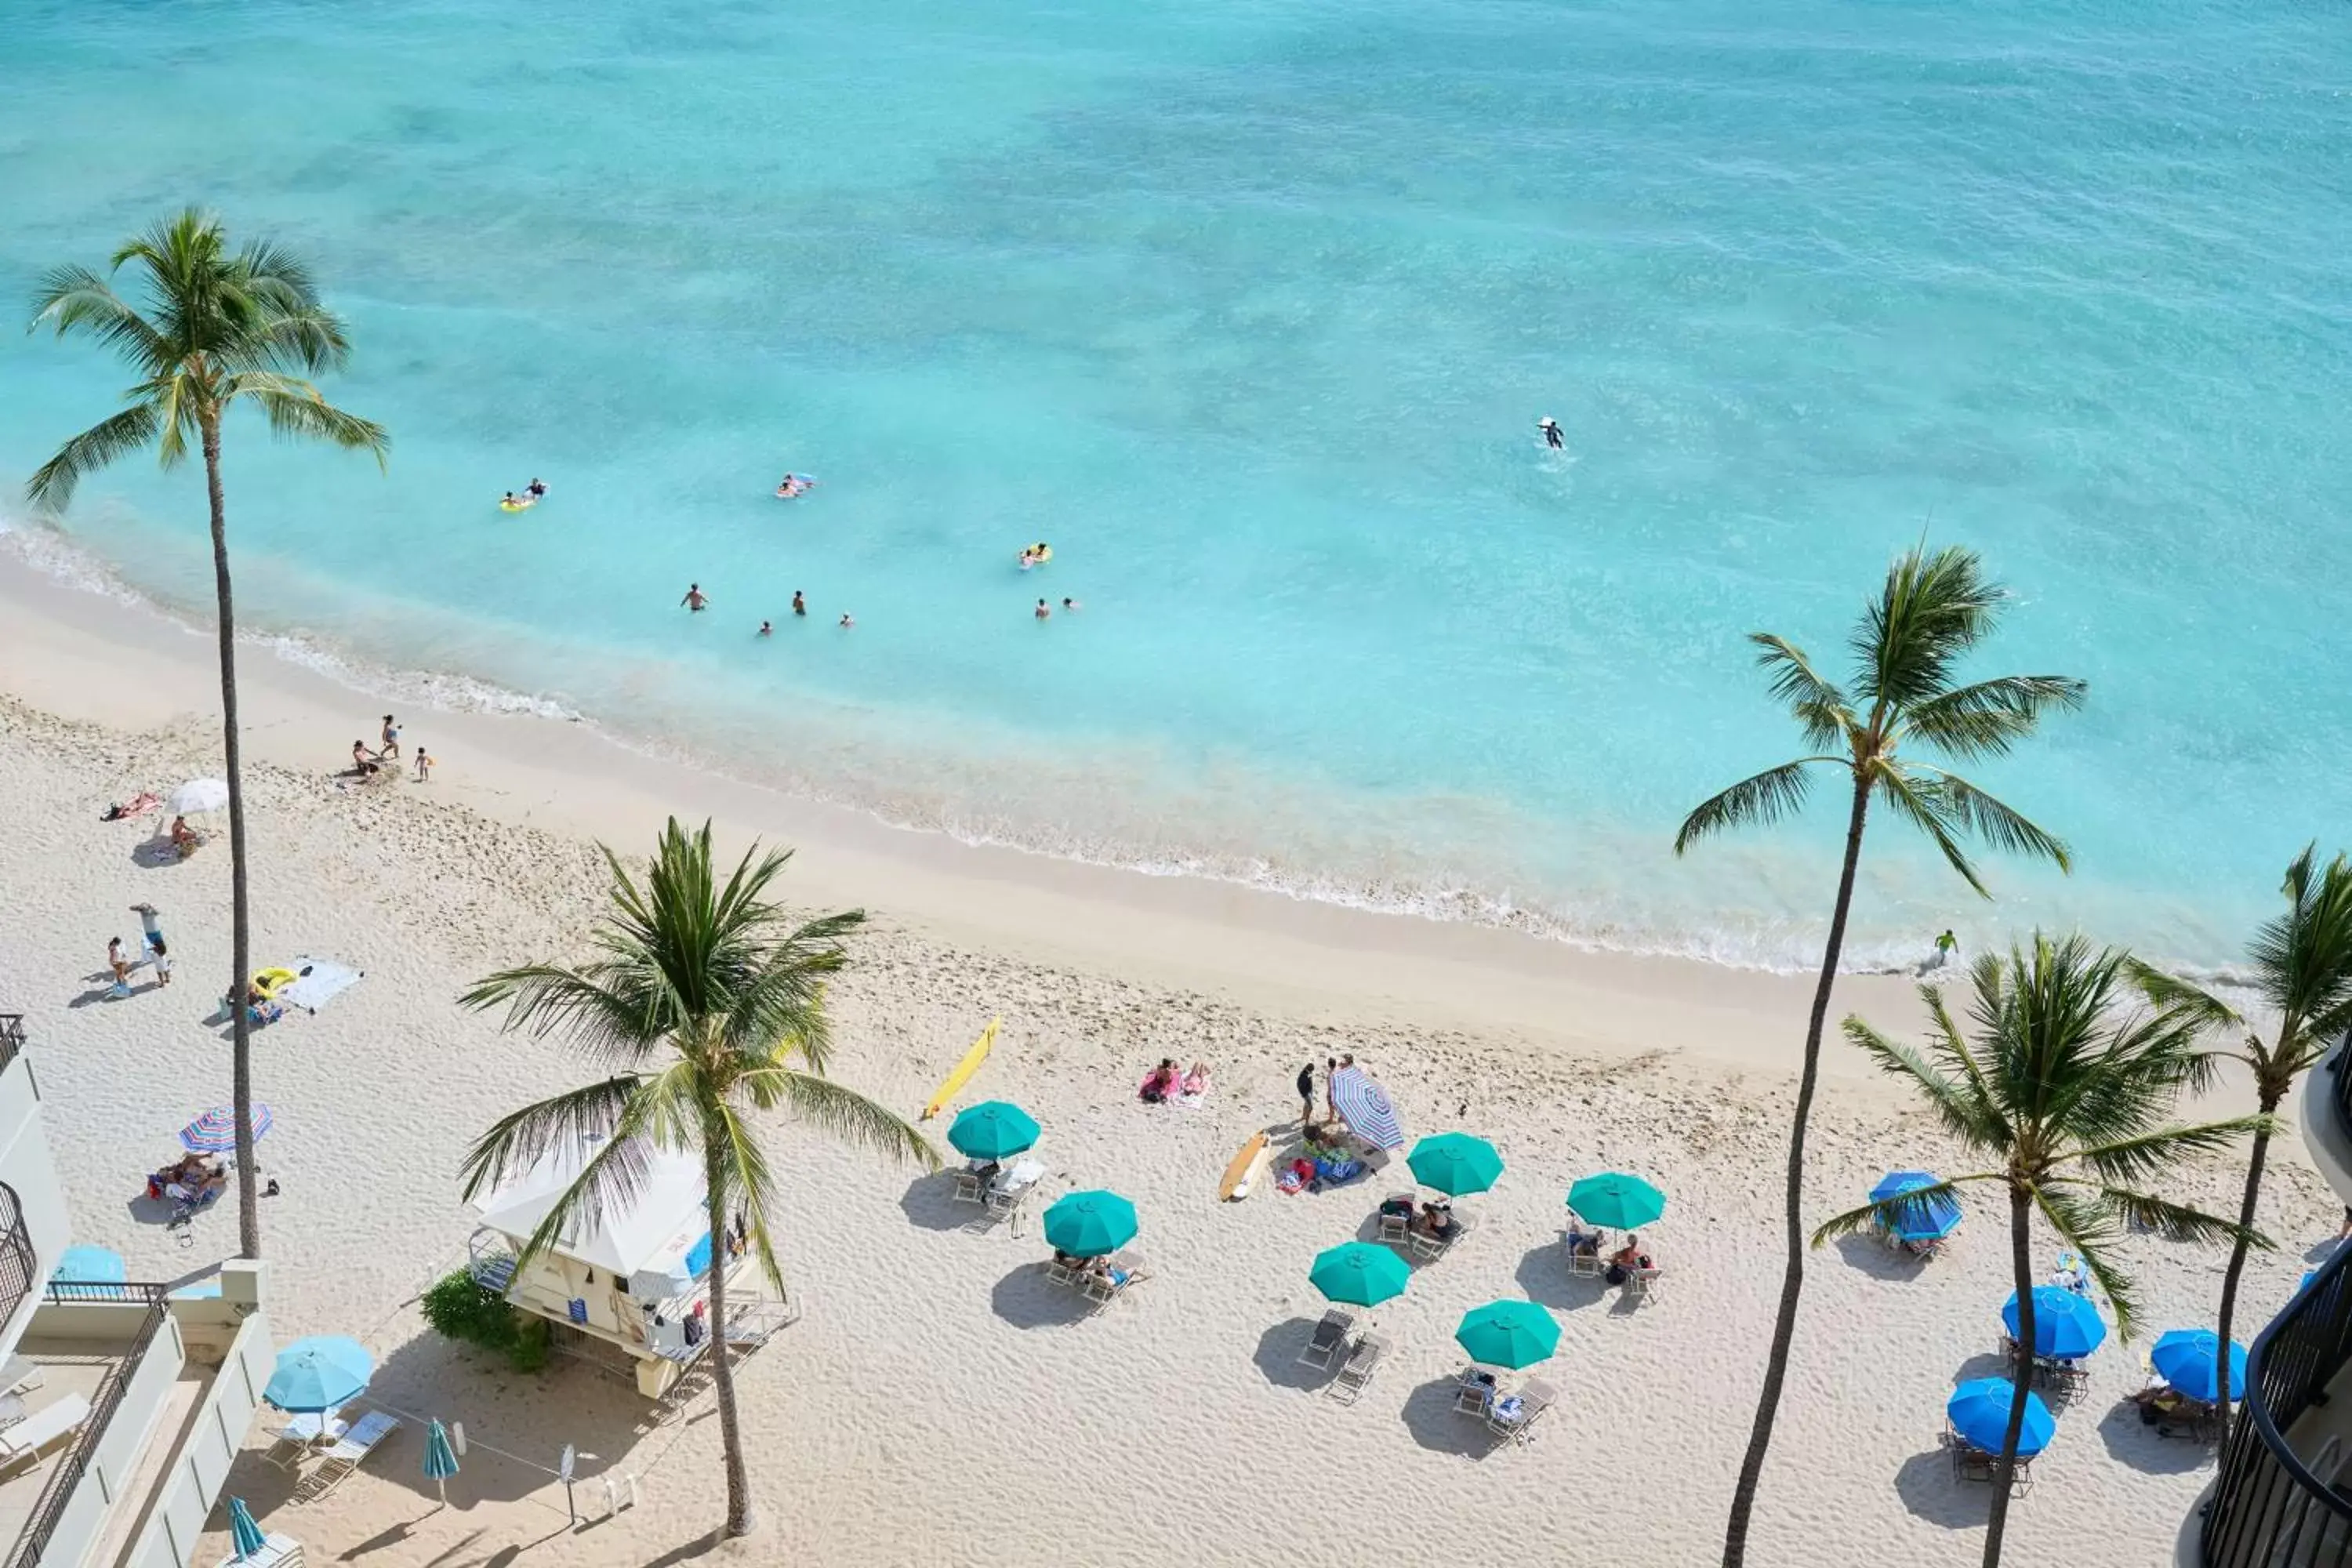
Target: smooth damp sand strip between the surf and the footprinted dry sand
[(98, 657)]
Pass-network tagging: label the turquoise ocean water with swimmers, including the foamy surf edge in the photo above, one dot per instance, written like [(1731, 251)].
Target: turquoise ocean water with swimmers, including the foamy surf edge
[(1250, 311)]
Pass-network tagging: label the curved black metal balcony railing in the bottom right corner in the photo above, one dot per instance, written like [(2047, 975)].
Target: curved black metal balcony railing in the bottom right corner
[(2271, 1508)]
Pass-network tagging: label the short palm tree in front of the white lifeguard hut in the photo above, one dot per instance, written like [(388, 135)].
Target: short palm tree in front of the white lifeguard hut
[(707, 1005)]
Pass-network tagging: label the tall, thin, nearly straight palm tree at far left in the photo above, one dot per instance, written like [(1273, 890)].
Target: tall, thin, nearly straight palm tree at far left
[(218, 328)]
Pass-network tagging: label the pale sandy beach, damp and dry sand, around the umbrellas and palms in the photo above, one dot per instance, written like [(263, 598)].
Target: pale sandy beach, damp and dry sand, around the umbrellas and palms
[(937, 1402)]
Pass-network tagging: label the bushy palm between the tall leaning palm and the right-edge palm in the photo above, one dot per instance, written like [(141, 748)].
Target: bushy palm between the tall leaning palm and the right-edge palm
[(2073, 1099)]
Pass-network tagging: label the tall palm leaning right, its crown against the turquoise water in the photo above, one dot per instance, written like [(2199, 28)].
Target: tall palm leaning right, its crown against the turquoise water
[(1932, 612)]
